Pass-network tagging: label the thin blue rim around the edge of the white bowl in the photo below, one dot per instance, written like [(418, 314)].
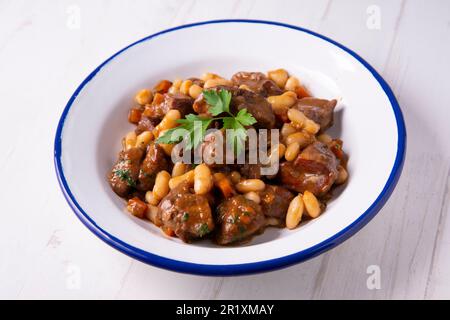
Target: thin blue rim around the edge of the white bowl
[(246, 268)]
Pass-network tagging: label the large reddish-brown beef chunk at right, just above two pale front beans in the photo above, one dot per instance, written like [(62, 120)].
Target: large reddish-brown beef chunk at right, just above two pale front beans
[(315, 170)]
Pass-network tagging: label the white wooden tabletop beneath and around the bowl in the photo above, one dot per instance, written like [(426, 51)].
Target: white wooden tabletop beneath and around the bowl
[(48, 47)]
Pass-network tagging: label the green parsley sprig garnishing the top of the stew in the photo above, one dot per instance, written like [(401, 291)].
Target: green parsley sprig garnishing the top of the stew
[(196, 126)]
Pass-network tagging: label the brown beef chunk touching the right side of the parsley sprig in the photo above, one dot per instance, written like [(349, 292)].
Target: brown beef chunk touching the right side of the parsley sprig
[(255, 104)]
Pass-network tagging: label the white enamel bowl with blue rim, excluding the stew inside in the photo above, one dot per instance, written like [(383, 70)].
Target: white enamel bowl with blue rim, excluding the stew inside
[(368, 120)]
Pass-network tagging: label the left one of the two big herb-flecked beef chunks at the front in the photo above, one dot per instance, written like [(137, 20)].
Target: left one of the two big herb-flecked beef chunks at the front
[(188, 215)]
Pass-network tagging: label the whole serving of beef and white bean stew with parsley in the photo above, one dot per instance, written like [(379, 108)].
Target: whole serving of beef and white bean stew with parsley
[(228, 202)]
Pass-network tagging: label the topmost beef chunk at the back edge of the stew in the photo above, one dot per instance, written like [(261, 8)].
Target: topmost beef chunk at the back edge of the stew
[(257, 82)]
